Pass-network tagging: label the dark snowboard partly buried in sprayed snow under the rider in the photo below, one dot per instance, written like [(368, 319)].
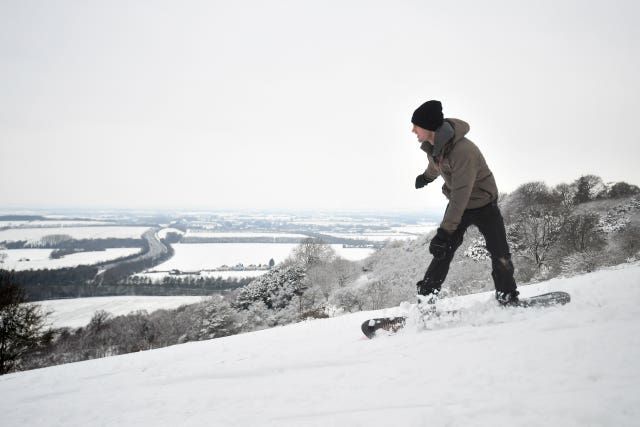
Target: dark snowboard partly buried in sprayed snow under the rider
[(394, 324)]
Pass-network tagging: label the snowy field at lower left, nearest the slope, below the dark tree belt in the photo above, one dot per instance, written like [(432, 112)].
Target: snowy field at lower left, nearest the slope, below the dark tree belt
[(78, 312)]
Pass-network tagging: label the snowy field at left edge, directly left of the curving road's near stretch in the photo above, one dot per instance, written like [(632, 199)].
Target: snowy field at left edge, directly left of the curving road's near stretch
[(26, 259)]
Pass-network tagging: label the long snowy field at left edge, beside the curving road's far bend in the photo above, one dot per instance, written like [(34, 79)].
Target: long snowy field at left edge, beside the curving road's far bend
[(100, 232)]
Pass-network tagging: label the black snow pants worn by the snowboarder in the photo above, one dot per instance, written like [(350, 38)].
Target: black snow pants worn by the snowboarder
[(489, 221)]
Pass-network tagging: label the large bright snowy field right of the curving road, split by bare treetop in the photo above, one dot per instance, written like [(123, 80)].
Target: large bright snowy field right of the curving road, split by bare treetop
[(207, 256)]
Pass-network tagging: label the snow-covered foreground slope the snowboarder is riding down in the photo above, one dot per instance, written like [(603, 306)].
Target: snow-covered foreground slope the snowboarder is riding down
[(575, 365)]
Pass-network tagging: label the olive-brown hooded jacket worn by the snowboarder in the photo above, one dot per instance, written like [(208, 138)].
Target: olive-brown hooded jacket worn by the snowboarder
[(468, 181)]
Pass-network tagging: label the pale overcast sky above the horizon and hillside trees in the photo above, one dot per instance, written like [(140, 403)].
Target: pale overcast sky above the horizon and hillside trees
[(305, 104)]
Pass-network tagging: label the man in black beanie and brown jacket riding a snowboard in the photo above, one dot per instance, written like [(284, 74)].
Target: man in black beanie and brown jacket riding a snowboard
[(473, 200)]
